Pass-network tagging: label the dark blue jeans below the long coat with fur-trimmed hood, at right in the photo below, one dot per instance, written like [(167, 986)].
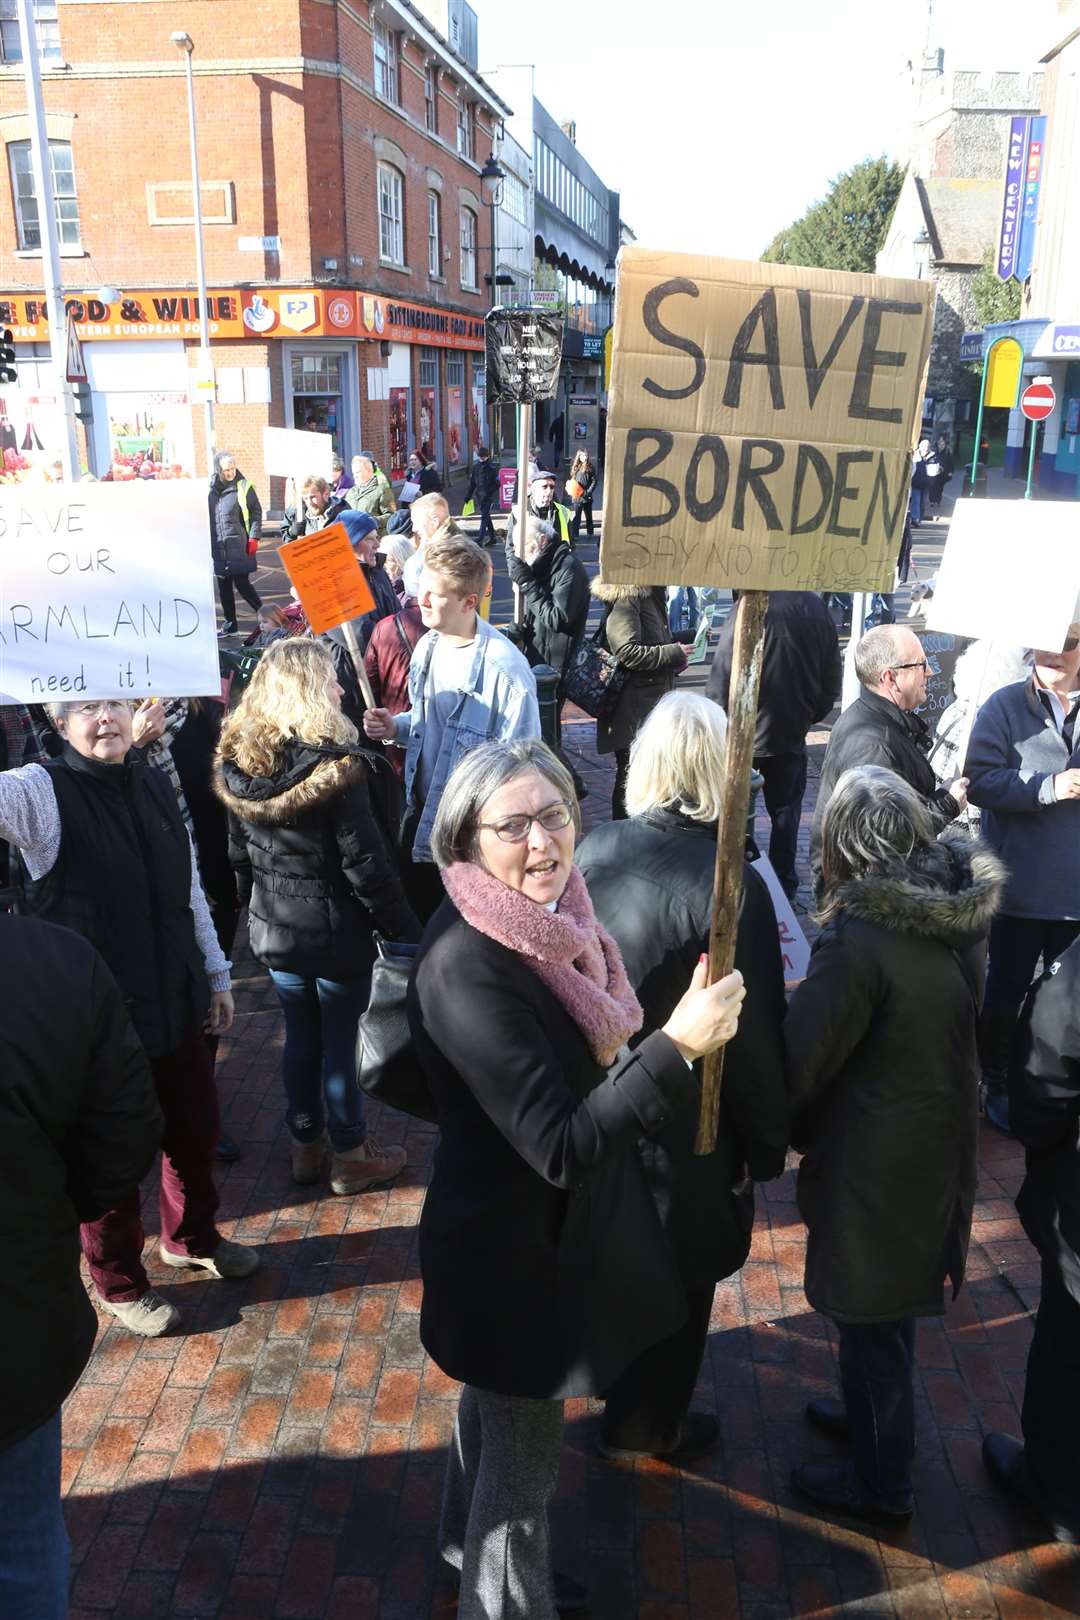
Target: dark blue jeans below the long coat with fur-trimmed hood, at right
[(877, 1376)]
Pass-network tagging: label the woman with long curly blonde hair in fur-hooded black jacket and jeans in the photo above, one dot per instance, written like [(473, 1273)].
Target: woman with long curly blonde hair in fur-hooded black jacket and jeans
[(318, 876)]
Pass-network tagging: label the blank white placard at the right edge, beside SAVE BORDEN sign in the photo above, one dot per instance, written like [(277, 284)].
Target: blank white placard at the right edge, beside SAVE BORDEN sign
[(1011, 573)]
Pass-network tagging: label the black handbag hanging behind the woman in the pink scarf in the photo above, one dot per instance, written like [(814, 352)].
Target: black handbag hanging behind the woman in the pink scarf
[(388, 1067)]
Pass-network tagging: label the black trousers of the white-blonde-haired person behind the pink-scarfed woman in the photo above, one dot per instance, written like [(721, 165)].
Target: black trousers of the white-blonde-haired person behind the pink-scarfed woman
[(648, 1402)]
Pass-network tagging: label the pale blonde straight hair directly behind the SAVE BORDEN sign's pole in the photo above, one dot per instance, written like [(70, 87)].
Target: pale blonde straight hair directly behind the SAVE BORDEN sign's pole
[(678, 759)]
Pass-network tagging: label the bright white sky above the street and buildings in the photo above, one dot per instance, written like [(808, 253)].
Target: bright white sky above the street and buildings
[(721, 121)]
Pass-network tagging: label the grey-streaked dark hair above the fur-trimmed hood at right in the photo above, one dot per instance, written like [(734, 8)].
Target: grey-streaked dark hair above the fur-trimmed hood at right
[(874, 825)]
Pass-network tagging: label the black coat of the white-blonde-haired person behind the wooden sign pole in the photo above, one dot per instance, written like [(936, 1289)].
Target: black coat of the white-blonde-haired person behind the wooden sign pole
[(652, 887)]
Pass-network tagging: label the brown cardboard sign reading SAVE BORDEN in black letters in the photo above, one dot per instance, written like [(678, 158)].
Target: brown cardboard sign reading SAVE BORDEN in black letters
[(760, 424)]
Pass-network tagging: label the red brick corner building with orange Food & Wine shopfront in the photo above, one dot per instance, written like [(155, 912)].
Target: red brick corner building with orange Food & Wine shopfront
[(339, 148)]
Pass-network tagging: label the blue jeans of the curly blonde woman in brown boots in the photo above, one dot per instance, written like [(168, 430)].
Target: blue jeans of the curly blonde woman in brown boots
[(320, 1064)]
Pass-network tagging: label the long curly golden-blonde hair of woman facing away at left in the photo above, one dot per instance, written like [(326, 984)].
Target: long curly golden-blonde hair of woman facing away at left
[(286, 701)]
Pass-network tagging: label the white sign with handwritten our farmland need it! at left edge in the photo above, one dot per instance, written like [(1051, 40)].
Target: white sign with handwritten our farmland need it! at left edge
[(106, 592)]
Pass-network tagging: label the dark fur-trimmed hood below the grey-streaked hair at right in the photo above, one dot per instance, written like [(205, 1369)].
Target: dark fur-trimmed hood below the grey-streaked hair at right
[(950, 893)]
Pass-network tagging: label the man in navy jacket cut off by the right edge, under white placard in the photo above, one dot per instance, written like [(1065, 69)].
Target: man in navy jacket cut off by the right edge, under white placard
[(1024, 764)]
